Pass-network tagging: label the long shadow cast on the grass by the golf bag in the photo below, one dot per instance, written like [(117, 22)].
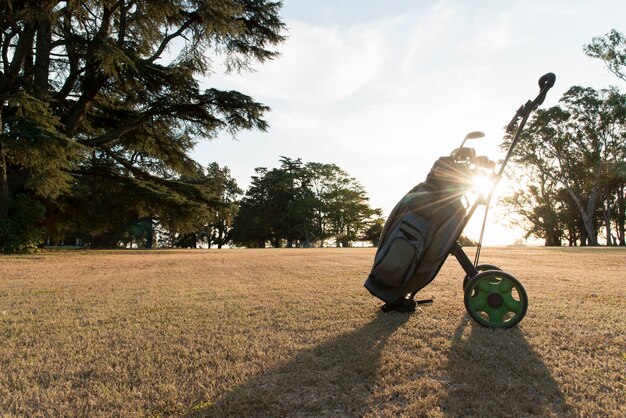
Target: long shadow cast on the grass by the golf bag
[(333, 379)]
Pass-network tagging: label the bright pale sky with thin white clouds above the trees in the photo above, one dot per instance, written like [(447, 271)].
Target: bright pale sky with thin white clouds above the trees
[(384, 88)]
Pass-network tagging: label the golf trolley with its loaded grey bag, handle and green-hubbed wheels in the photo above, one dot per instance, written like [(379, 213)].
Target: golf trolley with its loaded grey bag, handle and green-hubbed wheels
[(424, 228)]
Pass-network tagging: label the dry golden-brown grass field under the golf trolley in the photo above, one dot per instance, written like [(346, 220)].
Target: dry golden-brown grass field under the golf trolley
[(294, 333)]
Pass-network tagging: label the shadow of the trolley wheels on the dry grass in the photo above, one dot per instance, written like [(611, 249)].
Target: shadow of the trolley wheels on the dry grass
[(497, 373)]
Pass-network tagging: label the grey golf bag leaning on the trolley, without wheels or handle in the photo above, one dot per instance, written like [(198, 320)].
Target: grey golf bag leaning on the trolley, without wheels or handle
[(419, 233)]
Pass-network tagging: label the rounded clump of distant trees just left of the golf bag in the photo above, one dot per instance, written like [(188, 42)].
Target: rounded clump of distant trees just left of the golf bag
[(302, 204)]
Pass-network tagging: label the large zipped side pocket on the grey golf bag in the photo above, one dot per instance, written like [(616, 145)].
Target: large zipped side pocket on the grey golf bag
[(396, 261)]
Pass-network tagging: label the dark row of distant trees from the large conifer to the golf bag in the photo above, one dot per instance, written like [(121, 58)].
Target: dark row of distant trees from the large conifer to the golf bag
[(293, 205)]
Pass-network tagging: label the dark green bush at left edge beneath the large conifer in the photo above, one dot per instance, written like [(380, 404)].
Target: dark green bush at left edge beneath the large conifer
[(20, 231)]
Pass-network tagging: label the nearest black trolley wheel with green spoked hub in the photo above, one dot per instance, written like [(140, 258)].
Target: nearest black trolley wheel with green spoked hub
[(495, 299)]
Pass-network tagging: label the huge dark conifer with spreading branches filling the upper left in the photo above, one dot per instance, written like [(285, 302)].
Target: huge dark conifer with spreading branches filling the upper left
[(109, 90)]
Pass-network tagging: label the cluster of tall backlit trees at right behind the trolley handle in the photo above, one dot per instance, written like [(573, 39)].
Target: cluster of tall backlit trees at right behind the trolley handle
[(573, 146)]
